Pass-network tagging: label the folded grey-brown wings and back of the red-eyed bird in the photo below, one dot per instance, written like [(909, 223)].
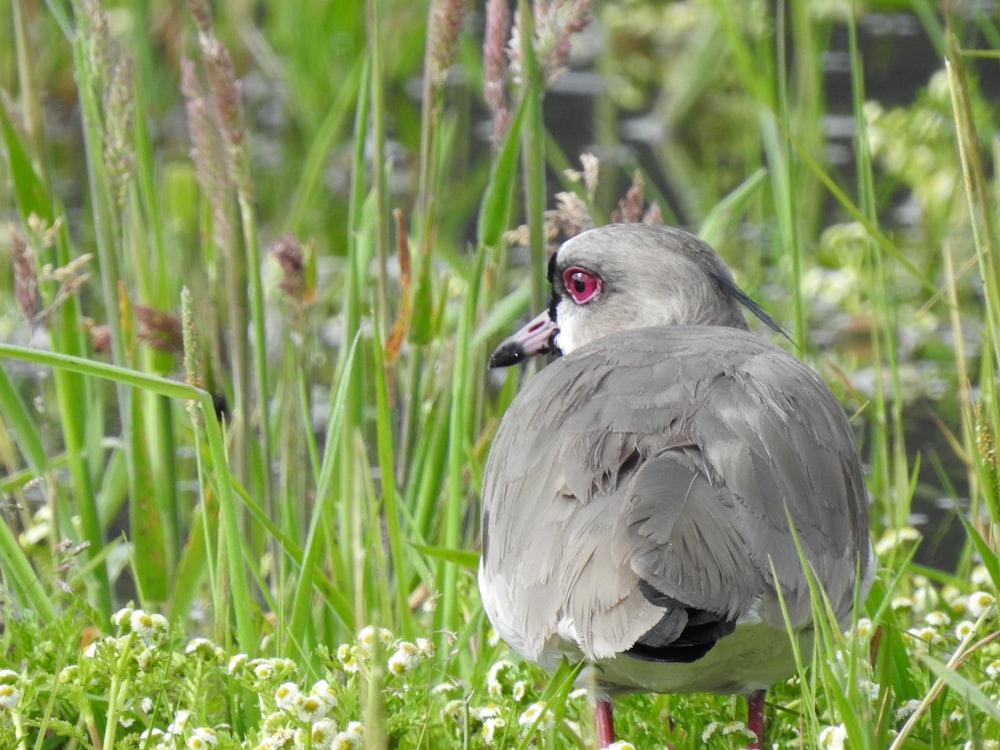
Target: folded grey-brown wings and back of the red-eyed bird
[(654, 473)]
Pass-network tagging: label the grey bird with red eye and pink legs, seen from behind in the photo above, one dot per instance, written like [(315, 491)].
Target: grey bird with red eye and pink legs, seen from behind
[(650, 494)]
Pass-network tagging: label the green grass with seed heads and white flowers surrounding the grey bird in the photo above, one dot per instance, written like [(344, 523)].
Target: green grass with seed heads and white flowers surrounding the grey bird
[(244, 407)]
